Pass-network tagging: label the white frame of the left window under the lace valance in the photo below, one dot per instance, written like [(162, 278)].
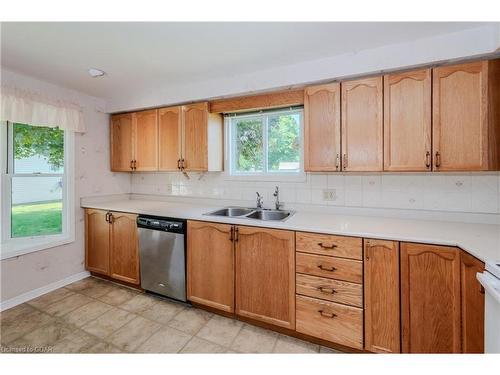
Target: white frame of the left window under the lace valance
[(15, 246)]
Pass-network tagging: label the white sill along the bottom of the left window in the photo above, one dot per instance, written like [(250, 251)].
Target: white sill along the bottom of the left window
[(15, 247)]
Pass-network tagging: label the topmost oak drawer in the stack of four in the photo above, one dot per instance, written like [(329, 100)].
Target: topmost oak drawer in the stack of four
[(327, 244)]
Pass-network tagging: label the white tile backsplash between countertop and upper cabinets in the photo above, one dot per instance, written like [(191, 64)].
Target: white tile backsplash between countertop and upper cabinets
[(466, 192)]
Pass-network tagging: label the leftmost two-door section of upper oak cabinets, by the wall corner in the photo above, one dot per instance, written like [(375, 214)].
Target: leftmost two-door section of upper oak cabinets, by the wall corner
[(134, 141)]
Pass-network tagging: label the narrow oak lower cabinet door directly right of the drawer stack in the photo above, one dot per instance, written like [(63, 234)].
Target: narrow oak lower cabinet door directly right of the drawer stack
[(382, 303)]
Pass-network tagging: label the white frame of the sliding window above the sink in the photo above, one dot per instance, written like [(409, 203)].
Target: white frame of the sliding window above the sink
[(230, 148)]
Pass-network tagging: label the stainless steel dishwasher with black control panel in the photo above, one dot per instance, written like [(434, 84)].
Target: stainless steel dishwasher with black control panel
[(162, 254)]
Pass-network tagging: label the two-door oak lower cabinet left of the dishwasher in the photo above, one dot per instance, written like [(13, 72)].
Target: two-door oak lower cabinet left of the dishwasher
[(111, 245)]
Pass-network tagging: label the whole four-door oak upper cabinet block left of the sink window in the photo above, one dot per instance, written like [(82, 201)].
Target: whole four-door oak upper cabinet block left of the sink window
[(185, 138)]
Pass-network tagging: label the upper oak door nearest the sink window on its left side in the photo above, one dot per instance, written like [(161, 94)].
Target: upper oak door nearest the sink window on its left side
[(195, 136)]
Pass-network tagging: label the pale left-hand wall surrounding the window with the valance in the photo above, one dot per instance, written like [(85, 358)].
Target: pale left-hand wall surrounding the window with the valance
[(92, 177)]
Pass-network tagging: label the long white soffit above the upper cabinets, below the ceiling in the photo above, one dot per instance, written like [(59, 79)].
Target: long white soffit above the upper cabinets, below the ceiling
[(466, 43)]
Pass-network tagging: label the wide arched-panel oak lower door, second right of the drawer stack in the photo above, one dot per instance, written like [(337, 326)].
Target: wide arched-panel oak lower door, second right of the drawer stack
[(430, 299)]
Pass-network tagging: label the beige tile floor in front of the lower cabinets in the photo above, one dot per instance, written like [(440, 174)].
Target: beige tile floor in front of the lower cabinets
[(97, 316)]
